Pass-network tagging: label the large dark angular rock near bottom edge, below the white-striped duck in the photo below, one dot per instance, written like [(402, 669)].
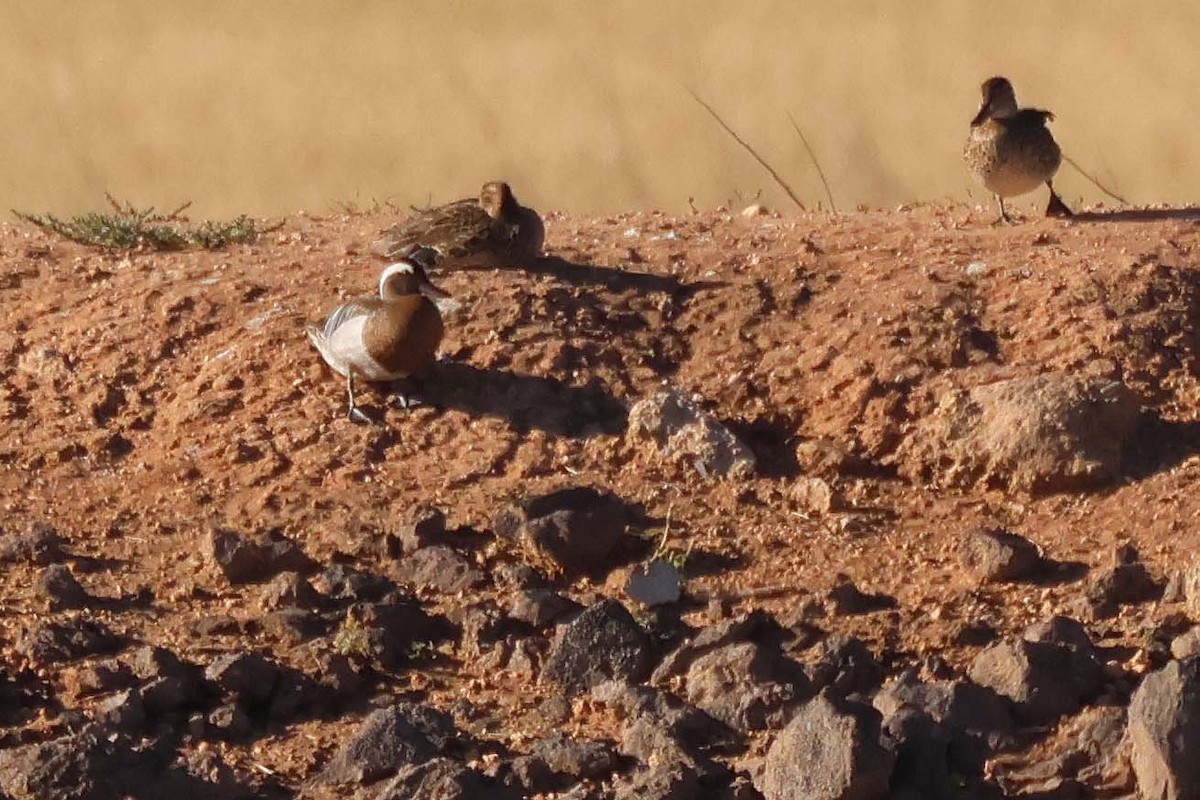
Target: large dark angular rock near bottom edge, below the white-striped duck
[(400, 736)]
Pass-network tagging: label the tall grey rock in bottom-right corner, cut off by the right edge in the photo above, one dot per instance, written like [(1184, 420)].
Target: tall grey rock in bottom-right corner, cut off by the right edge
[(1165, 731)]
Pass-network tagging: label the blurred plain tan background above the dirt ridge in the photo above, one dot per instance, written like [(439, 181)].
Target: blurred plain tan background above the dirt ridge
[(274, 107)]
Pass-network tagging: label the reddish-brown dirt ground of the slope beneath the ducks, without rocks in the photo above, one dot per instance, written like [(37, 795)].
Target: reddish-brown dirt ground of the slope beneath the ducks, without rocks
[(148, 399)]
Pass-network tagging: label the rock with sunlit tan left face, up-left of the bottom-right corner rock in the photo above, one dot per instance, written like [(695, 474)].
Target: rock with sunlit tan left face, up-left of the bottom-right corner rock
[(1045, 679)]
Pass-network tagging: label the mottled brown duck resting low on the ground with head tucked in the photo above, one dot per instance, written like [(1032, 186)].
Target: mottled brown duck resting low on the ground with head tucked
[(487, 232)]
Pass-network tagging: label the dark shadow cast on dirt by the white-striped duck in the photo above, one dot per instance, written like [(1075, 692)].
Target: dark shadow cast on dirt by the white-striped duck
[(526, 402)]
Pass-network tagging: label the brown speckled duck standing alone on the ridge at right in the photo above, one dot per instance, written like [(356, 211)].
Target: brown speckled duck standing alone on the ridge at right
[(1011, 151)]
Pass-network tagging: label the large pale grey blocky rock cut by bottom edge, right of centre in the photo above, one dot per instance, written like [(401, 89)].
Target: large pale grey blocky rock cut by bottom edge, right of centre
[(831, 750)]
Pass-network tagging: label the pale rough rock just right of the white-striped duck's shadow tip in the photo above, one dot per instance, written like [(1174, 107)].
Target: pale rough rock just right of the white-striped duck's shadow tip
[(686, 432)]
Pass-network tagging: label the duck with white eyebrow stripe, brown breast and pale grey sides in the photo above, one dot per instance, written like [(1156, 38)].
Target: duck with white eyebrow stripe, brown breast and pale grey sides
[(389, 338)]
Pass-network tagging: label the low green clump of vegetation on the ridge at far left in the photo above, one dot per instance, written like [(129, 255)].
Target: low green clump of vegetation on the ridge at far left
[(128, 227)]
